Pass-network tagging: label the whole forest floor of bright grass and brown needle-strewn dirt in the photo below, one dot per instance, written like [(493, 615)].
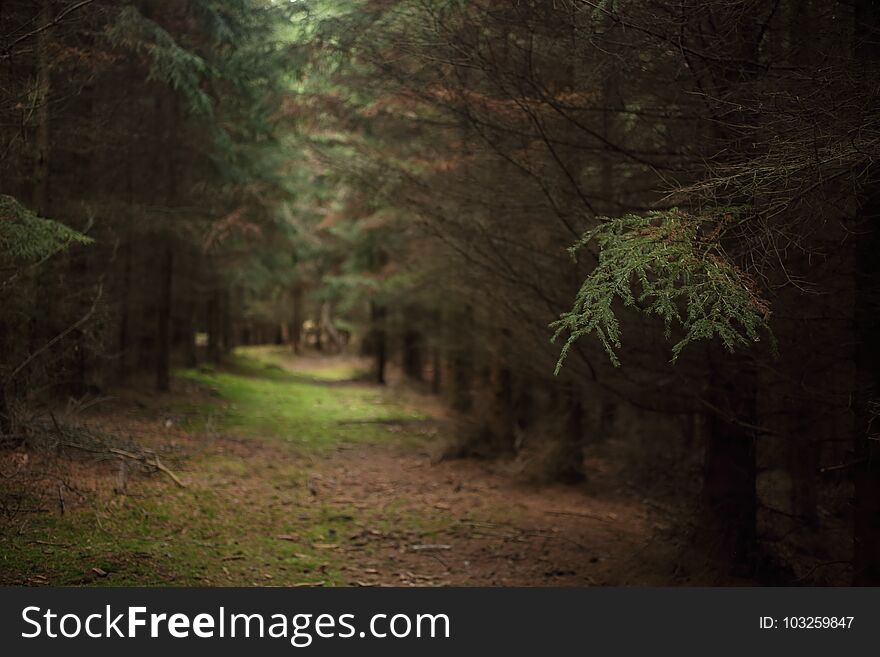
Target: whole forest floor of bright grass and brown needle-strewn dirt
[(297, 473)]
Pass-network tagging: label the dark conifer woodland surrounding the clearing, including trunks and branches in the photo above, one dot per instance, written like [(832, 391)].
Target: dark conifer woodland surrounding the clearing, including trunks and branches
[(684, 194)]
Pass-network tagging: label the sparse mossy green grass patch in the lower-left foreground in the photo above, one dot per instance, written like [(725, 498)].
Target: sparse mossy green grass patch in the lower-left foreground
[(189, 538)]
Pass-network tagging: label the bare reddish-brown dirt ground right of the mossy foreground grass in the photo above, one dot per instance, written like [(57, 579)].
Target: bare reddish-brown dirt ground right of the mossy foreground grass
[(494, 530)]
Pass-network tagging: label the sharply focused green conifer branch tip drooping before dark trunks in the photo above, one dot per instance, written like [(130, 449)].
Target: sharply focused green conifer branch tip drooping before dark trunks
[(669, 264)]
